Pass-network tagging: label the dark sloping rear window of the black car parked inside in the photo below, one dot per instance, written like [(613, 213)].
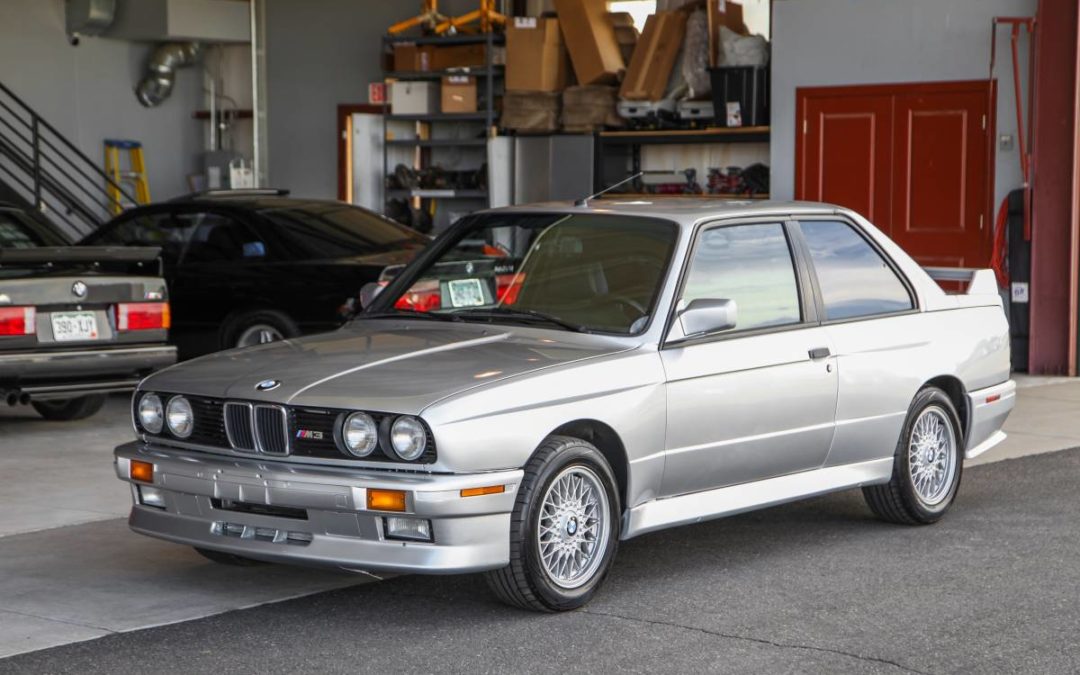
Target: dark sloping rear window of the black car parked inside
[(339, 231)]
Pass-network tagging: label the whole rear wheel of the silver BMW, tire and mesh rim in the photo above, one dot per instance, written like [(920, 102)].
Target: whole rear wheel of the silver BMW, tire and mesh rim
[(928, 464)]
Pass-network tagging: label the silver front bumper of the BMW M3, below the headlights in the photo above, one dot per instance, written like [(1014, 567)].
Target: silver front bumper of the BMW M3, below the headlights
[(319, 516)]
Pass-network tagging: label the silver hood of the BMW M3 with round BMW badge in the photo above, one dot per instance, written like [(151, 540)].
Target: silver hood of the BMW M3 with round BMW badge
[(381, 366)]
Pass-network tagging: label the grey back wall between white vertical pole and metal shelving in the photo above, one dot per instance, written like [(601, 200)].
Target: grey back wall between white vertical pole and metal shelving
[(322, 53)]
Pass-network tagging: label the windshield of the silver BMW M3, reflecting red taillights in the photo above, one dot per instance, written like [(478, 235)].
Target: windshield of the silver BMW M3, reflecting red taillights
[(588, 273)]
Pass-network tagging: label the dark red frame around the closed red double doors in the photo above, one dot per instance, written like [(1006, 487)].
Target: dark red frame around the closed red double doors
[(805, 94)]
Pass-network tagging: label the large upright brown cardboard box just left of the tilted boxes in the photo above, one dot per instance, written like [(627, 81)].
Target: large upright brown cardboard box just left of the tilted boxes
[(536, 56)]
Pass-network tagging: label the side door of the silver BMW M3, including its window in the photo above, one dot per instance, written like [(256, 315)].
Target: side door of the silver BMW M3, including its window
[(759, 400)]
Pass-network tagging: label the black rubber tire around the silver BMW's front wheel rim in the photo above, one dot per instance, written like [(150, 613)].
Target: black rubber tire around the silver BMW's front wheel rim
[(524, 584)]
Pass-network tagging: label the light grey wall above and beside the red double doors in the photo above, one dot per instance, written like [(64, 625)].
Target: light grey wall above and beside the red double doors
[(833, 43)]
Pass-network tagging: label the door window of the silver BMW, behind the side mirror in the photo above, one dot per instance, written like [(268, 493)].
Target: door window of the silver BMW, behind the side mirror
[(751, 265)]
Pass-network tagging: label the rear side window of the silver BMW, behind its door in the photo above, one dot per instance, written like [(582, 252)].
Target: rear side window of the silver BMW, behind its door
[(855, 279)]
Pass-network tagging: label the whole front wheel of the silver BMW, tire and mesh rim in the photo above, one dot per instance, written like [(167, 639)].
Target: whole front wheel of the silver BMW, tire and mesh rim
[(564, 531)]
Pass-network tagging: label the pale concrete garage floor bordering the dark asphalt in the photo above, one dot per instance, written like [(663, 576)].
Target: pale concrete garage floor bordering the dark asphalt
[(71, 572)]
